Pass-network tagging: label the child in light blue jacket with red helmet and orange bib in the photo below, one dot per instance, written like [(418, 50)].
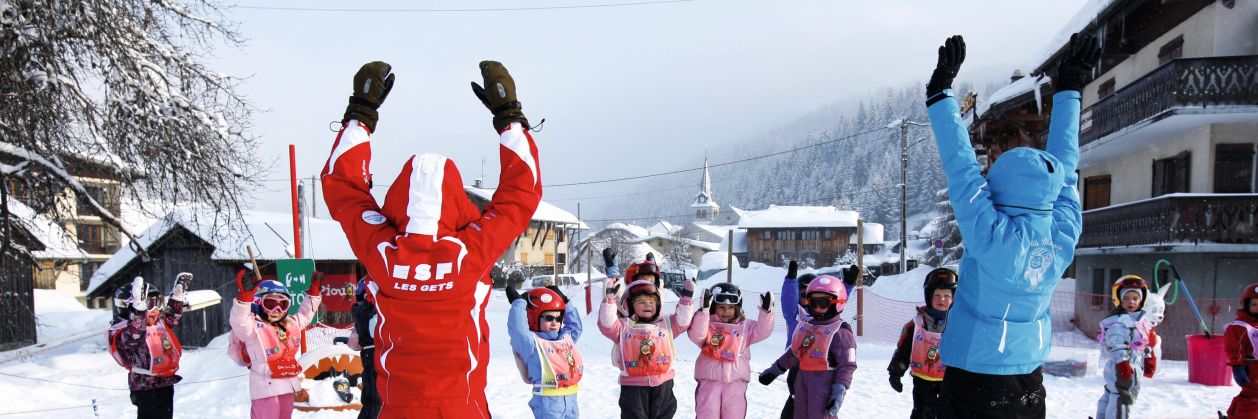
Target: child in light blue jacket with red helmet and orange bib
[(544, 330)]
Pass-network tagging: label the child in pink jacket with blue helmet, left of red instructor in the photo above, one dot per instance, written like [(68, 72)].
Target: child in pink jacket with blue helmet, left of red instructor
[(270, 342)]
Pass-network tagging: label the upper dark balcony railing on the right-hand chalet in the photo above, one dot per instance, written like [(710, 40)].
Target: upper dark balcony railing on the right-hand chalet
[(1186, 82)]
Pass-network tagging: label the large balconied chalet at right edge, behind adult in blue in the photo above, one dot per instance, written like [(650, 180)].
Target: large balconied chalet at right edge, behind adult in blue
[(1168, 144)]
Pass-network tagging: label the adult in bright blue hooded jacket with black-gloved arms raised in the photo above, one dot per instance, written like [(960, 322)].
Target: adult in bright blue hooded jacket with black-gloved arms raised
[(1020, 225)]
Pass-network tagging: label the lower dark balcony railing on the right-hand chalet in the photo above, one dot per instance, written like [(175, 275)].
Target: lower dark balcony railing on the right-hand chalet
[(1174, 220)]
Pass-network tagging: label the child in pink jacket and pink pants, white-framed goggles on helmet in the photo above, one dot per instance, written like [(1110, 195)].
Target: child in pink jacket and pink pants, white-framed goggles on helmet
[(724, 337)]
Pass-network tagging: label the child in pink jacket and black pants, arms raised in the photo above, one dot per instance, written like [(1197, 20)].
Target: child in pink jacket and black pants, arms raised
[(643, 343)]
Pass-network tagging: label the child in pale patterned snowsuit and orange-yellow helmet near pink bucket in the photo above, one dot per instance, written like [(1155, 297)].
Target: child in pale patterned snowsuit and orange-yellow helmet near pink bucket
[(1125, 342)]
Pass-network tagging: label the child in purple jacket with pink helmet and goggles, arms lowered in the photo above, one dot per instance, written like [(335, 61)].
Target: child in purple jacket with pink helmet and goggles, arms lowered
[(825, 349)]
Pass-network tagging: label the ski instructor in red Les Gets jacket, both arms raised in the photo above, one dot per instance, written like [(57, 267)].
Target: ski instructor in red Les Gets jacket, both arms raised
[(430, 250)]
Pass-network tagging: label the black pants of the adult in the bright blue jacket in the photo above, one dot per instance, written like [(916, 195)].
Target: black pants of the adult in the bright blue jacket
[(973, 396)]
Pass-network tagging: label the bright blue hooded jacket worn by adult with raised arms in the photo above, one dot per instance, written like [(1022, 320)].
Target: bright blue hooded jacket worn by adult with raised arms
[(1020, 227)]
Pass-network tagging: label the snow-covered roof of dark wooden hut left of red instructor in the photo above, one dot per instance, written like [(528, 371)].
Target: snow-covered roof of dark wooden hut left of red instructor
[(326, 240)]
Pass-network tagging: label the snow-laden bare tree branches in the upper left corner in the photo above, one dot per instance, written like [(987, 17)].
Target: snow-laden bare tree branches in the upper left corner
[(119, 90)]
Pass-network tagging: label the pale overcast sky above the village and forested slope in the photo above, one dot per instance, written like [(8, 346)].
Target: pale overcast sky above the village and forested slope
[(626, 91)]
